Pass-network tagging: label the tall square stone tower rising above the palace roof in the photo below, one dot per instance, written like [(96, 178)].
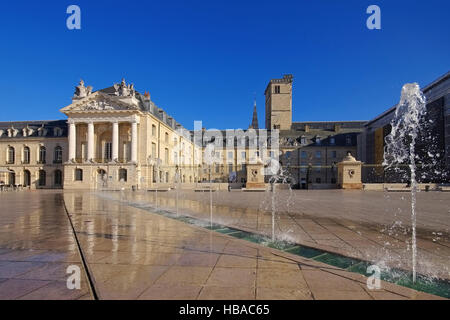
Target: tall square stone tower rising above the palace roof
[(279, 103)]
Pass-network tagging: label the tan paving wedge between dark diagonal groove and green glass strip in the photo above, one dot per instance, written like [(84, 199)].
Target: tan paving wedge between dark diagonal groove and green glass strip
[(134, 254)]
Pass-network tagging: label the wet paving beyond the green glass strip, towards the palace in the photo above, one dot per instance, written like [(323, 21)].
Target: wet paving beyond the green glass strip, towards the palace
[(369, 225)]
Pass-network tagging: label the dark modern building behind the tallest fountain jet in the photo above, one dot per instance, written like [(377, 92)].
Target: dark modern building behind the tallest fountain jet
[(435, 138)]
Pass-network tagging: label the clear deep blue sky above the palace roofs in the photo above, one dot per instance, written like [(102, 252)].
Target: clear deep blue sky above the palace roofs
[(206, 60)]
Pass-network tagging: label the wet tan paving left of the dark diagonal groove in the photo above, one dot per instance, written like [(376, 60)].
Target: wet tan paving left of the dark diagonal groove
[(36, 247)]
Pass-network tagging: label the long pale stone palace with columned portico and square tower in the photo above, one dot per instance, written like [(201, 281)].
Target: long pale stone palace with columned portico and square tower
[(117, 138)]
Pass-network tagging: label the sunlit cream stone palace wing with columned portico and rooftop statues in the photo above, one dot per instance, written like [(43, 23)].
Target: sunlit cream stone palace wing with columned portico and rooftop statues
[(118, 138)]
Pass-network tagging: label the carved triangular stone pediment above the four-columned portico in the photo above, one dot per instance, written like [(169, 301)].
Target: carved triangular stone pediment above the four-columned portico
[(99, 102)]
